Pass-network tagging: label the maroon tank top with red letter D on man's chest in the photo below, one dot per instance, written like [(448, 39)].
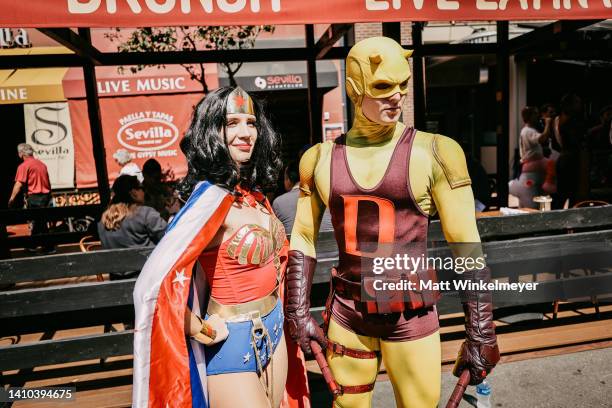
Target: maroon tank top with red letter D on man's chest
[(365, 218)]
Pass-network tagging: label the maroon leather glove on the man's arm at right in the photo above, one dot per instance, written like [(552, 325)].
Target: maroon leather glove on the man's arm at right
[(479, 352)]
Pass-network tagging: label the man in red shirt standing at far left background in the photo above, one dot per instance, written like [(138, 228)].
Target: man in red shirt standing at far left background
[(33, 177)]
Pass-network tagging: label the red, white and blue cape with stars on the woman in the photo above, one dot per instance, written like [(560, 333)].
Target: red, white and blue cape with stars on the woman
[(160, 297)]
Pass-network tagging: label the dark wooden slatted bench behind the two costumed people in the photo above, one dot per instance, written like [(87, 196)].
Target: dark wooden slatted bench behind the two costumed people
[(26, 309)]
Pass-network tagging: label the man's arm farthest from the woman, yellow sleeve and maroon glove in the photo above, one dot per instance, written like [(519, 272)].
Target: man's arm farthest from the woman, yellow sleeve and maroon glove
[(454, 200)]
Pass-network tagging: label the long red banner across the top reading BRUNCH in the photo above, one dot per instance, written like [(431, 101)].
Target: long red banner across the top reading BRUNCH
[(136, 13)]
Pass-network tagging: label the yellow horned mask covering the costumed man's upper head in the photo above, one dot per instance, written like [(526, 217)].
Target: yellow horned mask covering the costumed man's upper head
[(377, 67)]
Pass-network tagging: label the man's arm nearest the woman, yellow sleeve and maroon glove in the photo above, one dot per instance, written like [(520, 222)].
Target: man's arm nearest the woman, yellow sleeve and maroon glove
[(302, 257)]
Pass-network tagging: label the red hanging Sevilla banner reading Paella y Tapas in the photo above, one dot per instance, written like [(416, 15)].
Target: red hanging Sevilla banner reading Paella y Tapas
[(147, 127)]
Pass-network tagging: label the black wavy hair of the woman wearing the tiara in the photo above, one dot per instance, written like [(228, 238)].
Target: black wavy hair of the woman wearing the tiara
[(208, 157)]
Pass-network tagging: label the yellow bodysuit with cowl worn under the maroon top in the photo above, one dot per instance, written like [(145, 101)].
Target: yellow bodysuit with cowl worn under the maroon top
[(439, 182)]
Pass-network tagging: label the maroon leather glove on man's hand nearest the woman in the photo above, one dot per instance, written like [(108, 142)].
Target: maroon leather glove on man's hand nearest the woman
[(302, 327)]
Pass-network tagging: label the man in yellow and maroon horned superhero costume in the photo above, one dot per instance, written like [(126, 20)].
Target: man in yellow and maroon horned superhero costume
[(381, 182)]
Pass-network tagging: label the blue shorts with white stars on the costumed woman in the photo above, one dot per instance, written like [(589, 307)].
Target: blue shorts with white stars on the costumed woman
[(236, 354)]
